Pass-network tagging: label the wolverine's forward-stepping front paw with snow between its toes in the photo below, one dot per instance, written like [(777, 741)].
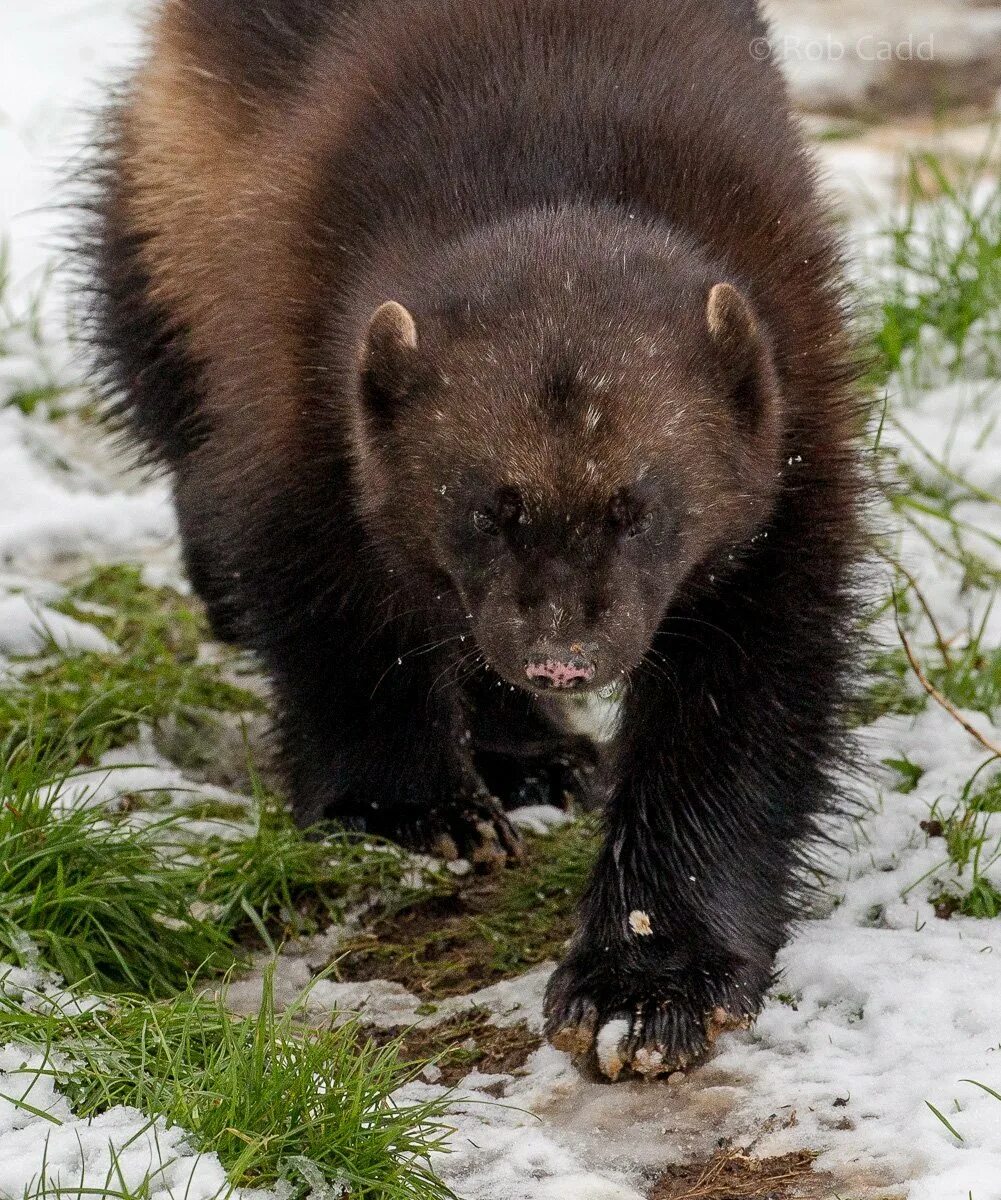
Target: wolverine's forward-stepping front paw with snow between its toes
[(649, 1023)]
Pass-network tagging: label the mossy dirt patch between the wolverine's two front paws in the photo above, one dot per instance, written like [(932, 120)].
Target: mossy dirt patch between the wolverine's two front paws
[(485, 929)]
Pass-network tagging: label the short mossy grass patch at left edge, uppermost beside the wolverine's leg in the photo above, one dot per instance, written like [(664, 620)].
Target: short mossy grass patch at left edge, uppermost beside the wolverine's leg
[(81, 705)]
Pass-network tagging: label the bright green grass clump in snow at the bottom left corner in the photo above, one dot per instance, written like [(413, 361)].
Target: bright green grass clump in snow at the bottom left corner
[(273, 1100)]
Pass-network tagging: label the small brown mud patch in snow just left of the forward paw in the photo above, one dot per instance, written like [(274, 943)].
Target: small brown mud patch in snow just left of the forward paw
[(465, 1043)]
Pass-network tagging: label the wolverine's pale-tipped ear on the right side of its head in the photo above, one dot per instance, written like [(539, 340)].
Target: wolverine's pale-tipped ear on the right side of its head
[(746, 358)]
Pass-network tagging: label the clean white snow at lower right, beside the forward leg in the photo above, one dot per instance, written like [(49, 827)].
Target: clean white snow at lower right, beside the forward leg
[(889, 1006)]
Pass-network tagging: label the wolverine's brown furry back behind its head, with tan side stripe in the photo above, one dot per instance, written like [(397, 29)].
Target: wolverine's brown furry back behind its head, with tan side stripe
[(256, 130)]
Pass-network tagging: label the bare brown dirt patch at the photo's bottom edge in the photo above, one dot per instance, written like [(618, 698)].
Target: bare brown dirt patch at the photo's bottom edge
[(735, 1175)]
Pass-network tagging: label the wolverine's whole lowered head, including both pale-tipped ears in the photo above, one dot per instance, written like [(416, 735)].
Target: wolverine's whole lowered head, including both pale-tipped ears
[(570, 439)]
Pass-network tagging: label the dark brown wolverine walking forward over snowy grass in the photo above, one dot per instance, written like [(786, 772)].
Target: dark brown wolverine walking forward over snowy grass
[(499, 356)]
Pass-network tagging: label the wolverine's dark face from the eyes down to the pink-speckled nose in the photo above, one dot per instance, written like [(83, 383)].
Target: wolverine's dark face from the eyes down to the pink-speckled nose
[(566, 593)]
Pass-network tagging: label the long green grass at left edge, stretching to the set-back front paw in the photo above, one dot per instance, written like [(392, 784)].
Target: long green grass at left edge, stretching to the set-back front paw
[(142, 907)]
